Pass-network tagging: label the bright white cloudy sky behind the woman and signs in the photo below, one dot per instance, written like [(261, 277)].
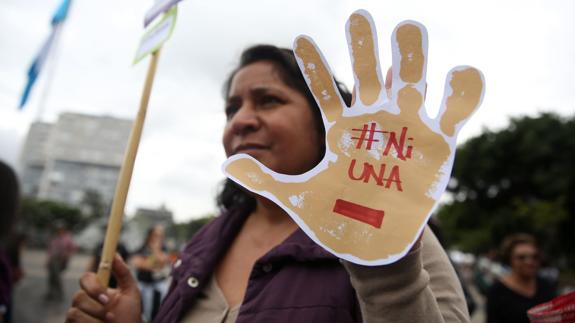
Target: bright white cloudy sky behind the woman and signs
[(526, 50)]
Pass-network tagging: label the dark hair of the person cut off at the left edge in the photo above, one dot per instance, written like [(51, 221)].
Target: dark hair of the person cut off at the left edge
[(9, 200)]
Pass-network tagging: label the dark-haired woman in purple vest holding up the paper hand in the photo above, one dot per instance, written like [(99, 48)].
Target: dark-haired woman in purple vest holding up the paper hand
[(253, 263)]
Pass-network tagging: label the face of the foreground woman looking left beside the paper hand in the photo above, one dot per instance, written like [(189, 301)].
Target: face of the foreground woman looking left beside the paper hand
[(270, 121)]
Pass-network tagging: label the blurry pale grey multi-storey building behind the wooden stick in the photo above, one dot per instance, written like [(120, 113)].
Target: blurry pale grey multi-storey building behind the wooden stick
[(78, 156)]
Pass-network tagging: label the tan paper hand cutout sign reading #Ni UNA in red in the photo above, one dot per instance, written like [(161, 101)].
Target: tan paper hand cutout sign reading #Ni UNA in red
[(386, 162)]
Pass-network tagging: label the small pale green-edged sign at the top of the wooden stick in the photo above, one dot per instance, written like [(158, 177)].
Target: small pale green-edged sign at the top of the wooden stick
[(157, 35)]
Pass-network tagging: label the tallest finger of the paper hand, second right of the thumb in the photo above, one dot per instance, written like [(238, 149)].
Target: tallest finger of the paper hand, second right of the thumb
[(362, 42)]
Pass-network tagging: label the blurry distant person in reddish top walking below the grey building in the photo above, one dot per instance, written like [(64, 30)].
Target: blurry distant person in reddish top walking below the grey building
[(60, 249)]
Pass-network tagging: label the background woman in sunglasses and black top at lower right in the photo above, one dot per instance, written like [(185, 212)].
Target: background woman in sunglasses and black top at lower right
[(509, 298)]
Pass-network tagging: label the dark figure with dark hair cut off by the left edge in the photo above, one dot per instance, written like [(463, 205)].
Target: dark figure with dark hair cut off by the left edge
[(9, 202)]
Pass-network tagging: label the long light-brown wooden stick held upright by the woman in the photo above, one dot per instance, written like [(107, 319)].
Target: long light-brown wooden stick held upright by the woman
[(123, 185)]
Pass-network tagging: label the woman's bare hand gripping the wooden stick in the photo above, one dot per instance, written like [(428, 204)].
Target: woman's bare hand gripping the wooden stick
[(95, 303)]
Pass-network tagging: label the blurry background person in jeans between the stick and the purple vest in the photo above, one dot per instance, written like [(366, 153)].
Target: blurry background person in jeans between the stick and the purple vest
[(152, 264)]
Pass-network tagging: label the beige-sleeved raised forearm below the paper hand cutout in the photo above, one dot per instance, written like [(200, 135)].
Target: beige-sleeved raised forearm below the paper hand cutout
[(421, 287)]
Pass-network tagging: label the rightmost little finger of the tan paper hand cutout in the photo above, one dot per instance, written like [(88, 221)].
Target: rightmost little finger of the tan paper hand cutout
[(464, 89)]
